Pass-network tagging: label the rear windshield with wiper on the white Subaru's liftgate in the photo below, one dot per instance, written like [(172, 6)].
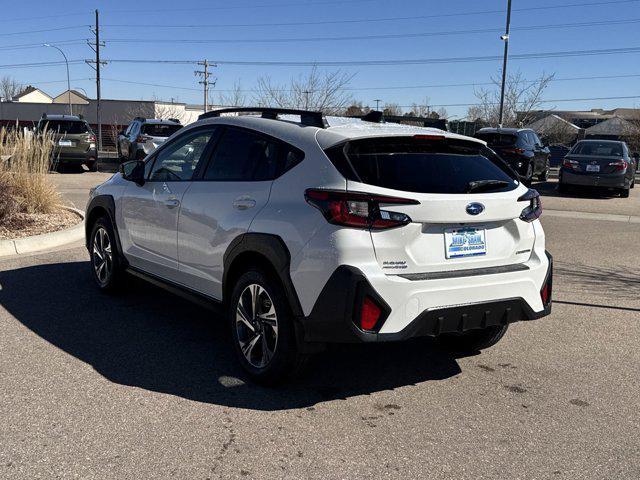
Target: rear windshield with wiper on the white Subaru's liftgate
[(425, 166)]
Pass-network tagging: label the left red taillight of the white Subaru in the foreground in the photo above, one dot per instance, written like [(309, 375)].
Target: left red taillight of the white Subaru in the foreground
[(358, 210)]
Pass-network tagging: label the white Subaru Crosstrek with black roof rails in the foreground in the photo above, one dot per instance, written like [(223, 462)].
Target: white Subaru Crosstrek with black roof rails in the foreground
[(308, 230)]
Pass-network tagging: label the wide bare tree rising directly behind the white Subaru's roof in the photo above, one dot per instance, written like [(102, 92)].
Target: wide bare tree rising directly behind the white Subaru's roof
[(325, 92)]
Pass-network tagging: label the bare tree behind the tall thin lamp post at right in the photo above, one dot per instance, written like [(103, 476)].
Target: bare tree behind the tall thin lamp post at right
[(521, 98)]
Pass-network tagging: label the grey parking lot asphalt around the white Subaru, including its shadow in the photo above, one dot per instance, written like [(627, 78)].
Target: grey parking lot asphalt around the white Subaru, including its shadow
[(144, 385)]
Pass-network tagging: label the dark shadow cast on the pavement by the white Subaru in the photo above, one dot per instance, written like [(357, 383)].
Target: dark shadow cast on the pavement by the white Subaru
[(153, 340)]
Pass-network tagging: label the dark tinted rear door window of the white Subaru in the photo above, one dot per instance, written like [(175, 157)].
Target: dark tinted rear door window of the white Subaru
[(242, 155)]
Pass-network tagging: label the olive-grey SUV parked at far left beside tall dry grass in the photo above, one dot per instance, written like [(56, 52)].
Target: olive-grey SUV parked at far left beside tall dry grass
[(74, 141)]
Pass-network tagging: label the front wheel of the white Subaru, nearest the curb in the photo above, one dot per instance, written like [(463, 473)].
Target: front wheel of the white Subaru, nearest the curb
[(107, 268)]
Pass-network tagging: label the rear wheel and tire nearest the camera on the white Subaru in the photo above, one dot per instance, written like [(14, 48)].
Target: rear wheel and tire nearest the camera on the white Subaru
[(264, 341)]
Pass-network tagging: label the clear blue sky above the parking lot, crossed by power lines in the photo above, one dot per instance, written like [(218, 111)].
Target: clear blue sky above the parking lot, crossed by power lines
[(443, 17)]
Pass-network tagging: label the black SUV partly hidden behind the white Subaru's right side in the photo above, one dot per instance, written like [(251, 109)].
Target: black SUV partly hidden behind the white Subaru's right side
[(521, 149)]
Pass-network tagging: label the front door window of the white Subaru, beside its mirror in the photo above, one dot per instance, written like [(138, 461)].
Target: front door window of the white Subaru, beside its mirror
[(178, 160)]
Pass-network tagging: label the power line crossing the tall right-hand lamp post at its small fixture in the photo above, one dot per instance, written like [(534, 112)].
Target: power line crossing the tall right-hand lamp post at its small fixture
[(369, 37)]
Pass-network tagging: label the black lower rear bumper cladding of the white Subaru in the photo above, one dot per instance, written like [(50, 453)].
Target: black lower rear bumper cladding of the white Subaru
[(332, 317)]
